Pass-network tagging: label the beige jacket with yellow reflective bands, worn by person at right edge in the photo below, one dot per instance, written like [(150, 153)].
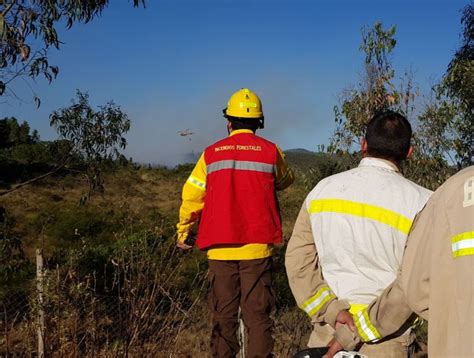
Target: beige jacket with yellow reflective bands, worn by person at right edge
[(437, 275)]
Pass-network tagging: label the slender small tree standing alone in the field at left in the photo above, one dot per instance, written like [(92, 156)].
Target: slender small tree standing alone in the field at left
[(93, 136)]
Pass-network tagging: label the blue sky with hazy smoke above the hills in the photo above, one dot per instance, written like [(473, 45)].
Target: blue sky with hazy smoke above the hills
[(173, 65)]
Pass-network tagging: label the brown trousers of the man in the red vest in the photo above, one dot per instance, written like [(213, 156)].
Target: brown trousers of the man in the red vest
[(246, 284)]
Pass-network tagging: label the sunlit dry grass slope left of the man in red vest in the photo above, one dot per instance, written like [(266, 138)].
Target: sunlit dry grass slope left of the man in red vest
[(139, 193)]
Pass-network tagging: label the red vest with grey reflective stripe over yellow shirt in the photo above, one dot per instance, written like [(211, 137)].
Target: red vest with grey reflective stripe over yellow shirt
[(241, 205)]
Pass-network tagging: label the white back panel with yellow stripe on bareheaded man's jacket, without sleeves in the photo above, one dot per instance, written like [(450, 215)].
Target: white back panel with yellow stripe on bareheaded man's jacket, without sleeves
[(360, 220)]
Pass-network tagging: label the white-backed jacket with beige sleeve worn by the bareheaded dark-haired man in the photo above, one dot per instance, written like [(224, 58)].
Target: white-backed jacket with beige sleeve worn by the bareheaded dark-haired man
[(351, 230)]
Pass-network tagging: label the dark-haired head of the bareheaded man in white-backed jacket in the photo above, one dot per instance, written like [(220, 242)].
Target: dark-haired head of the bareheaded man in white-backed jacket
[(388, 136)]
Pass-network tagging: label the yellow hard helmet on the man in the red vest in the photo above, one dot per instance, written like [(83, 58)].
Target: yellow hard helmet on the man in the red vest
[(244, 104)]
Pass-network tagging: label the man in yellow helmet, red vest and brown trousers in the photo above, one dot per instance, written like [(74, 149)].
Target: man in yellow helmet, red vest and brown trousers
[(232, 191)]
